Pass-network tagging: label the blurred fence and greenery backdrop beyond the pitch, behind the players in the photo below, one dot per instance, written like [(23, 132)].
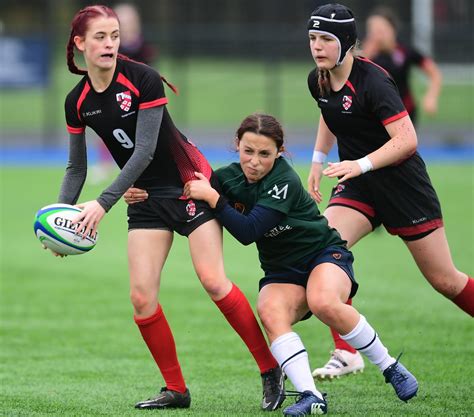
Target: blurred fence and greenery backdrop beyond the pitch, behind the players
[(229, 58)]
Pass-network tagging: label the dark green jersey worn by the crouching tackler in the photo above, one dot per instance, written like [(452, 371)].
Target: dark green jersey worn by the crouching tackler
[(302, 232)]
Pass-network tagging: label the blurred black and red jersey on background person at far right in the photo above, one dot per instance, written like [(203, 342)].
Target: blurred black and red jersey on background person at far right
[(399, 63)]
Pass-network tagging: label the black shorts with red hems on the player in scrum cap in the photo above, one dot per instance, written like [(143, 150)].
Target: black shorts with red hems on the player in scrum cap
[(399, 197)]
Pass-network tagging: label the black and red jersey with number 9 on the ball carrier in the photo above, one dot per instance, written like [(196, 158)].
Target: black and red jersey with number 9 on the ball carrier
[(112, 114)]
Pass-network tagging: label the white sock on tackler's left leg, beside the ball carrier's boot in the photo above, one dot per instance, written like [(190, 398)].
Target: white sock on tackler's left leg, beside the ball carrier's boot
[(290, 353)]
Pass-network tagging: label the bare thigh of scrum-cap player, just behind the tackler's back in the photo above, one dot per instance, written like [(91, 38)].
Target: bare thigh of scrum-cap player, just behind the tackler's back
[(351, 224)]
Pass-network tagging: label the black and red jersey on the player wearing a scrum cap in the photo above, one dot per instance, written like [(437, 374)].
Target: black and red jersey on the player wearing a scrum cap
[(358, 112)]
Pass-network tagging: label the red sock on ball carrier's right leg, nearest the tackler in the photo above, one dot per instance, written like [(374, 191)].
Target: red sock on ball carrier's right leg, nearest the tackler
[(239, 314)]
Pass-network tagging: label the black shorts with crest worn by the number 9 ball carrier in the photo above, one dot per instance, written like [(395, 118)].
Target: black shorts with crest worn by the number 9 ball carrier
[(182, 216)]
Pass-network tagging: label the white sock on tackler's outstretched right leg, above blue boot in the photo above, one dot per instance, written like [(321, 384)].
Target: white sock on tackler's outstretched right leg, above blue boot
[(364, 338)]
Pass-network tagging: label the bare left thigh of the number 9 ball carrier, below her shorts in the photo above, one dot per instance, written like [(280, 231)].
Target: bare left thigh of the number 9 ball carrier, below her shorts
[(147, 253)]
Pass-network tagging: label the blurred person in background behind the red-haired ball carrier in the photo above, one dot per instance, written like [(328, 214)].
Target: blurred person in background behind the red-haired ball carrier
[(133, 45)]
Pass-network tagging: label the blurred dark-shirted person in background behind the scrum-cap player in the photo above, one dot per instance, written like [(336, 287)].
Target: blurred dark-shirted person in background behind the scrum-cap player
[(382, 46)]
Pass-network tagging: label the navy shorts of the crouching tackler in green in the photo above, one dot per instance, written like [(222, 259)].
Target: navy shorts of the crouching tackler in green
[(337, 255)]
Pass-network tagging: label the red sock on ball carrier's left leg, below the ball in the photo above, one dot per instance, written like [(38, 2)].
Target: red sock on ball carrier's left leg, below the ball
[(157, 335)]
